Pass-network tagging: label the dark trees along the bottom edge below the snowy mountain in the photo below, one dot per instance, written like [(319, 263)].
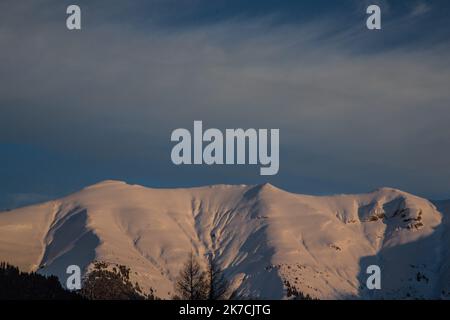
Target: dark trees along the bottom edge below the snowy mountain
[(112, 282)]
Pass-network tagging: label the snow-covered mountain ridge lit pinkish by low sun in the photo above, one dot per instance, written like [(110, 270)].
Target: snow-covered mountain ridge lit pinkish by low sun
[(263, 237)]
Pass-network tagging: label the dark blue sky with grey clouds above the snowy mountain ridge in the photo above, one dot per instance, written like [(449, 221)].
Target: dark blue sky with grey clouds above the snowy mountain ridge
[(356, 109)]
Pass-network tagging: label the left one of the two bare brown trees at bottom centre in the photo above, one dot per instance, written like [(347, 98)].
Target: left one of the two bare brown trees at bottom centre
[(191, 283)]
